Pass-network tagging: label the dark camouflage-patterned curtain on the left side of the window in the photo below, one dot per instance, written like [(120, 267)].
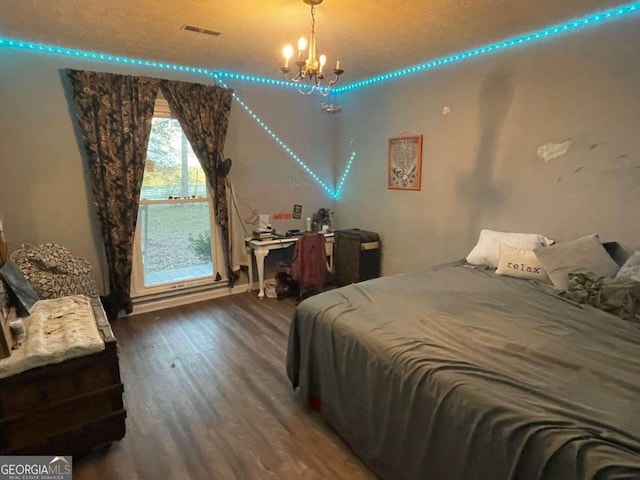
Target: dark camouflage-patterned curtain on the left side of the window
[(114, 113)]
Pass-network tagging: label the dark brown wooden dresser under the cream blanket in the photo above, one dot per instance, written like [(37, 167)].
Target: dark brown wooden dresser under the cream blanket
[(65, 408)]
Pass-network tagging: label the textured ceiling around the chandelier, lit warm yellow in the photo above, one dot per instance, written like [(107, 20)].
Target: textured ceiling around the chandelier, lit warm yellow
[(369, 37)]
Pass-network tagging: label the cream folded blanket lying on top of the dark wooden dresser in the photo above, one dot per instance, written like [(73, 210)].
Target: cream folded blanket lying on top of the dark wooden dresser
[(57, 329)]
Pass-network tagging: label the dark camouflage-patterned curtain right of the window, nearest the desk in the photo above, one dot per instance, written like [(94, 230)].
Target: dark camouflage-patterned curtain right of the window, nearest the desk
[(203, 113)]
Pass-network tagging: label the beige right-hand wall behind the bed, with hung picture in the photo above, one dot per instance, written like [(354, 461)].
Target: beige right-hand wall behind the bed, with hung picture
[(480, 164)]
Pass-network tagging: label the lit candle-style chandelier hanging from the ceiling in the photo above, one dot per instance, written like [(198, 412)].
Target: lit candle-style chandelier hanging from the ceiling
[(310, 70)]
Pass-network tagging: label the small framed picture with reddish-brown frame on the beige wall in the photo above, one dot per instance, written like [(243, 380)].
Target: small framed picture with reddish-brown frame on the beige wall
[(405, 163)]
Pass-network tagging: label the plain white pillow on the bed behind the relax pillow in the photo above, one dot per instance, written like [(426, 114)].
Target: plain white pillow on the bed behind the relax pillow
[(487, 250)]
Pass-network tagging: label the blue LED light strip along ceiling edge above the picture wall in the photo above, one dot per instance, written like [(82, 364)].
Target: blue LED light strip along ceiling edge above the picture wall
[(572, 25)]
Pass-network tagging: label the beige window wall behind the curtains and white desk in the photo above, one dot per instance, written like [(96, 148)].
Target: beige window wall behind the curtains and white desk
[(44, 195)]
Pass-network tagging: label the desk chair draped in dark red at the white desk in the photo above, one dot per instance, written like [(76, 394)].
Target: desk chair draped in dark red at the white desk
[(306, 273)]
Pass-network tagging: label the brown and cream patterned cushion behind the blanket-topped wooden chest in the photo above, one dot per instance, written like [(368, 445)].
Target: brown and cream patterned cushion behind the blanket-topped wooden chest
[(54, 271)]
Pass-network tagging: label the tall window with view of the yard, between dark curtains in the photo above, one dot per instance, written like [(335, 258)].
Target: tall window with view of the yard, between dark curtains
[(175, 244)]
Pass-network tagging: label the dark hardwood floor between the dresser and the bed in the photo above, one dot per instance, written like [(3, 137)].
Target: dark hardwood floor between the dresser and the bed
[(207, 397)]
